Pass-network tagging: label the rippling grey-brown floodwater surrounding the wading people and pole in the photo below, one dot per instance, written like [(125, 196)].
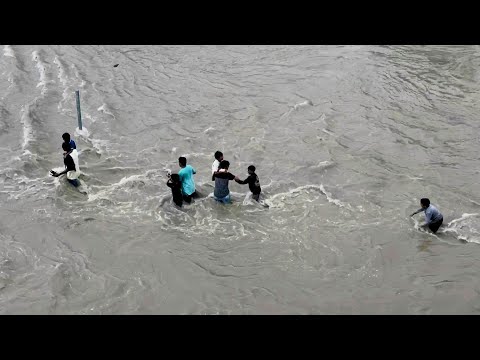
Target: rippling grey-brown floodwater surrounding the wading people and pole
[(346, 140)]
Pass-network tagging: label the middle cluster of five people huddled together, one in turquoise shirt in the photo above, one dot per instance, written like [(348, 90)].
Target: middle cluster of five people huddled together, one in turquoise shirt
[(183, 184)]
